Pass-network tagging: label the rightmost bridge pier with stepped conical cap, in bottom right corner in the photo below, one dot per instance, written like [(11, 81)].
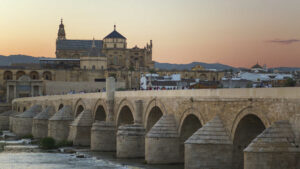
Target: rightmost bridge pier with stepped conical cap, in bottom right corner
[(275, 148)]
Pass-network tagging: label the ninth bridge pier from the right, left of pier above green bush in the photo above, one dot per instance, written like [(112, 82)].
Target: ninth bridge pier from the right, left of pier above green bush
[(23, 122)]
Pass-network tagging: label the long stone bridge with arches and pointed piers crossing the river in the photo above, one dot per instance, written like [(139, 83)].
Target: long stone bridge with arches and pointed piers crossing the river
[(208, 128)]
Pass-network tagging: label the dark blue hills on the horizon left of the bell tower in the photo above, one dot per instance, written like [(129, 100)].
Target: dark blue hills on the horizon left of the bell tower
[(8, 60)]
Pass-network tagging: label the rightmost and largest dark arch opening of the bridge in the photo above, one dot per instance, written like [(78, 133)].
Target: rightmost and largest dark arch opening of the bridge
[(248, 127)]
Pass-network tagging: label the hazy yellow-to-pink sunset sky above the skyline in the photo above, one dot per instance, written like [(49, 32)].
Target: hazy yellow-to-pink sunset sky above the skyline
[(233, 32)]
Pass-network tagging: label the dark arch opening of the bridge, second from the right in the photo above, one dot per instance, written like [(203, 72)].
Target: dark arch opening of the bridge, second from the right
[(189, 125)]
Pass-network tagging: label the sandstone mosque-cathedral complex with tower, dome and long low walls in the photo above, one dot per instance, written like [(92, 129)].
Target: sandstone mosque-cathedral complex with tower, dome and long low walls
[(83, 65)]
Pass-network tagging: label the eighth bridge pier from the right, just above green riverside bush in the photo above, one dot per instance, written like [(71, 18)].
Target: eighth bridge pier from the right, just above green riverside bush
[(40, 122)]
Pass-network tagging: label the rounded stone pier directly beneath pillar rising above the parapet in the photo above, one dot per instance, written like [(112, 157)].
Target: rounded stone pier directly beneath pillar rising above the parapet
[(103, 136)]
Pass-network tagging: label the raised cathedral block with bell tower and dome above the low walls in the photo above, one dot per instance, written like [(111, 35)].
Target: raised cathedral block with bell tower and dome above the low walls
[(113, 47)]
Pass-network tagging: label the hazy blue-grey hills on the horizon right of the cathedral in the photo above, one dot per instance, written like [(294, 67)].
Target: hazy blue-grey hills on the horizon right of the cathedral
[(169, 66)]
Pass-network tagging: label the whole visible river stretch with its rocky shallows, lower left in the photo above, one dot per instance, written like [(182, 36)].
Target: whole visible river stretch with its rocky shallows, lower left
[(24, 154)]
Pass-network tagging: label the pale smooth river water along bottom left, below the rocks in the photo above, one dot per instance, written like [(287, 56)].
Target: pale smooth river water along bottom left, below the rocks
[(26, 160)]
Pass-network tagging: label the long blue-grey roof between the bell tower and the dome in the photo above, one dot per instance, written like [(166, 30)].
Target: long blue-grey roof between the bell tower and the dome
[(77, 44)]
